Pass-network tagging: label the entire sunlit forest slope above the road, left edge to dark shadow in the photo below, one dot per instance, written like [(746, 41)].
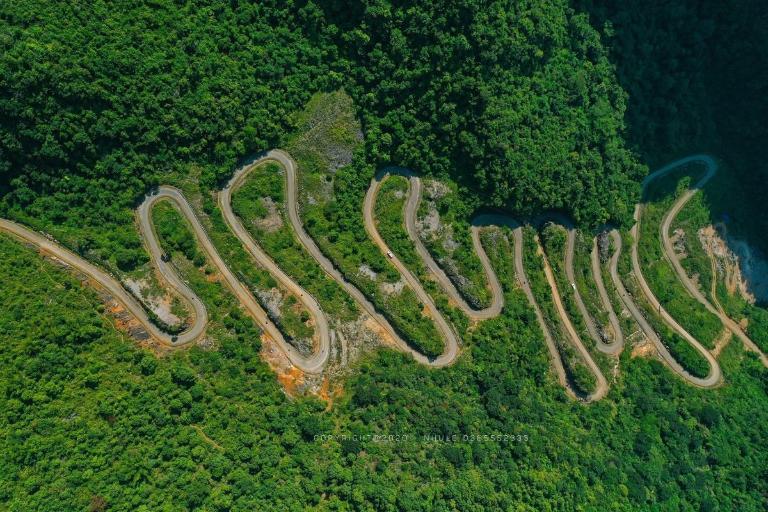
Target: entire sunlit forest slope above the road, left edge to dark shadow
[(99, 101)]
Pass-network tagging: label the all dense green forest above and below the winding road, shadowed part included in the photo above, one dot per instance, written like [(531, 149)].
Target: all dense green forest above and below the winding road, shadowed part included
[(526, 105)]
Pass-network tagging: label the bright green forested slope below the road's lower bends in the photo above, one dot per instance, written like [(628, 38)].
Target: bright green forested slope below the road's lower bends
[(90, 422)]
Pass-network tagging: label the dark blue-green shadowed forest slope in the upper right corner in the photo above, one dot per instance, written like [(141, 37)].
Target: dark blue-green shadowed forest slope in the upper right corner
[(696, 74)]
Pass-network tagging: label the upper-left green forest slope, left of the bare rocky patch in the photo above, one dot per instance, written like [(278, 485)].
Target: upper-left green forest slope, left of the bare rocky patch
[(101, 101)]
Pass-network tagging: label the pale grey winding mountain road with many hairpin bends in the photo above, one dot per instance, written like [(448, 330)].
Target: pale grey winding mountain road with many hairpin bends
[(315, 362)]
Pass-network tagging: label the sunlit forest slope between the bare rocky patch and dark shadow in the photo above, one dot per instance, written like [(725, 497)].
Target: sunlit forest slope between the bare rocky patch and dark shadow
[(516, 100)]
